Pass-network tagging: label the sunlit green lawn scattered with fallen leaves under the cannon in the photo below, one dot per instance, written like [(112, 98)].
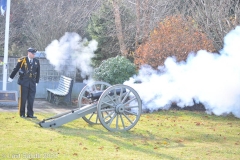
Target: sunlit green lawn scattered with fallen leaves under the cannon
[(161, 135)]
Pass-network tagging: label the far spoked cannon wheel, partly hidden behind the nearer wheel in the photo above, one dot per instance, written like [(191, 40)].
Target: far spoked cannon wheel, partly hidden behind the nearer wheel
[(96, 86)]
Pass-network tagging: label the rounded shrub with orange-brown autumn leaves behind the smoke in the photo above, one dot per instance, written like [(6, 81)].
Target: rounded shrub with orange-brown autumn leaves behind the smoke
[(174, 37)]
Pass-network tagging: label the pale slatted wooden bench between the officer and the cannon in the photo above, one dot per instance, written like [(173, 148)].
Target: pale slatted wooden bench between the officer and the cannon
[(63, 93)]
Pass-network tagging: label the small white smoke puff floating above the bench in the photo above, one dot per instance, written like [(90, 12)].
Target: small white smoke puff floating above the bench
[(71, 52)]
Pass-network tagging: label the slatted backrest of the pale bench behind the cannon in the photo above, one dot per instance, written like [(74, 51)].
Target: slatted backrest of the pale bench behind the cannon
[(65, 84)]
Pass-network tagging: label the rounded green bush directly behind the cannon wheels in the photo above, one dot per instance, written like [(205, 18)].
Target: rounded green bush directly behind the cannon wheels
[(115, 70)]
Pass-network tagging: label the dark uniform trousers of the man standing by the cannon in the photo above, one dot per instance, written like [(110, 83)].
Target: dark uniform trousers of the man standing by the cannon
[(27, 94)]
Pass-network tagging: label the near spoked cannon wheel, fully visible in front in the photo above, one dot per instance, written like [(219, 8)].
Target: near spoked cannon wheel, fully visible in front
[(119, 111)]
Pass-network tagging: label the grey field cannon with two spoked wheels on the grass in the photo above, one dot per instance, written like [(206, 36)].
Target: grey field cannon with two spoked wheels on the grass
[(117, 107)]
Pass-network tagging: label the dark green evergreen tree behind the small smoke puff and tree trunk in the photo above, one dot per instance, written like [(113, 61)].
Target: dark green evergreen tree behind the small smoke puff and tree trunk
[(102, 28)]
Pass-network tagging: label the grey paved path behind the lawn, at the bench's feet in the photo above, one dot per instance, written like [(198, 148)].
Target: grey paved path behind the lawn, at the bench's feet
[(42, 106)]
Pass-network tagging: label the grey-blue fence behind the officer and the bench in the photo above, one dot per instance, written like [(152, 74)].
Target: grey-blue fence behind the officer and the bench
[(48, 76)]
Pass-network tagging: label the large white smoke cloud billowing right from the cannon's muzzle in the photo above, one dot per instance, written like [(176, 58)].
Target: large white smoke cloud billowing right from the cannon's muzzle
[(212, 79)]
